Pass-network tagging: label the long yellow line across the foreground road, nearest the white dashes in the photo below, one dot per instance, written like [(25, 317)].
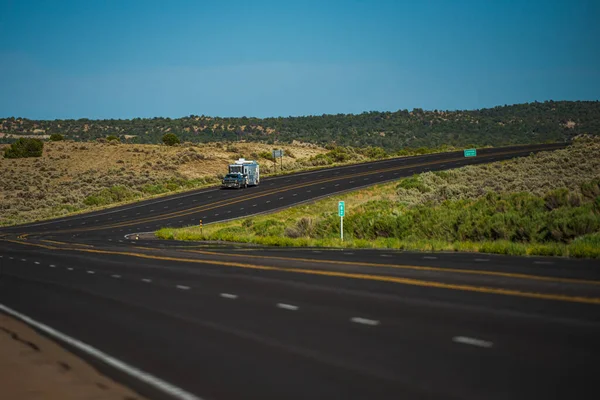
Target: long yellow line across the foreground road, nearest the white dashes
[(368, 277)]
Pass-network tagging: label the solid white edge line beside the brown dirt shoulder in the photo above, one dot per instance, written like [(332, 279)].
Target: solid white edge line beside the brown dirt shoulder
[(145, 377)]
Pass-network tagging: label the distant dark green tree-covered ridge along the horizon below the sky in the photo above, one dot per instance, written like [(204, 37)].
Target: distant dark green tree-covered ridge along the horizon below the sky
[(516, 124)]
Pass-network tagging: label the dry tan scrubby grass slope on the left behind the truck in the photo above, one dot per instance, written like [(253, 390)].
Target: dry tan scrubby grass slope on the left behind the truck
[(69, 172)]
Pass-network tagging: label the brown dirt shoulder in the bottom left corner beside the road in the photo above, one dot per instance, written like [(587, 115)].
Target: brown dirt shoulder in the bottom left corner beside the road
[(34, 367)]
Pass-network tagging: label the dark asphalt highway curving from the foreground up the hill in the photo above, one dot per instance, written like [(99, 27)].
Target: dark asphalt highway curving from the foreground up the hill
[(245, 322)]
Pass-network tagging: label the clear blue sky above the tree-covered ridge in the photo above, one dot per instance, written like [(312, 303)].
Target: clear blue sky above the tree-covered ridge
[(124, 59)]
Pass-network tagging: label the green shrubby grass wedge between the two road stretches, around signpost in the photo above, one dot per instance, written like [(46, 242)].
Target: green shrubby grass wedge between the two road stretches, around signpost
[(545, 204)]
